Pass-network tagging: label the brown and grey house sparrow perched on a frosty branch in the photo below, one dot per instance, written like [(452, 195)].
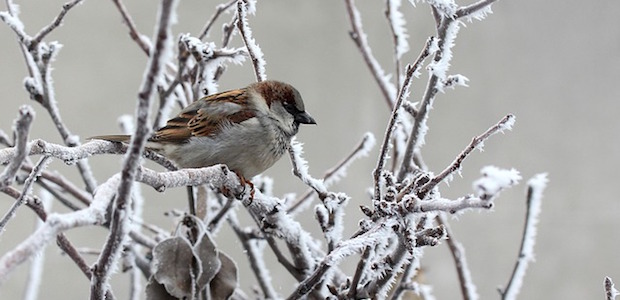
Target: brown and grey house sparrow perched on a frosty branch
[(247, 129)]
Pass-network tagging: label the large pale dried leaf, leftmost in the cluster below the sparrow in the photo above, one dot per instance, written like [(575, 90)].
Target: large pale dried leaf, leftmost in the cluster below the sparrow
[(172, 261)]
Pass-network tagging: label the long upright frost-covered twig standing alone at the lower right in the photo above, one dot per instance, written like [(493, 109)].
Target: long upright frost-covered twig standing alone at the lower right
[(536, 186)]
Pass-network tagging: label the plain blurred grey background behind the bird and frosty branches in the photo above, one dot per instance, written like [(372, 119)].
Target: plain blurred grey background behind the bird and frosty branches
[(554, 64)]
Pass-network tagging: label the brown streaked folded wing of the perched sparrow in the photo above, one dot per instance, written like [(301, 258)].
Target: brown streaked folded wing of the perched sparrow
[(205, 117)]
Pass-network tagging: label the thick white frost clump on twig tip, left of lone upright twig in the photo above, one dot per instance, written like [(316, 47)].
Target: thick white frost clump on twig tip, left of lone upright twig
[(494, 180)]
